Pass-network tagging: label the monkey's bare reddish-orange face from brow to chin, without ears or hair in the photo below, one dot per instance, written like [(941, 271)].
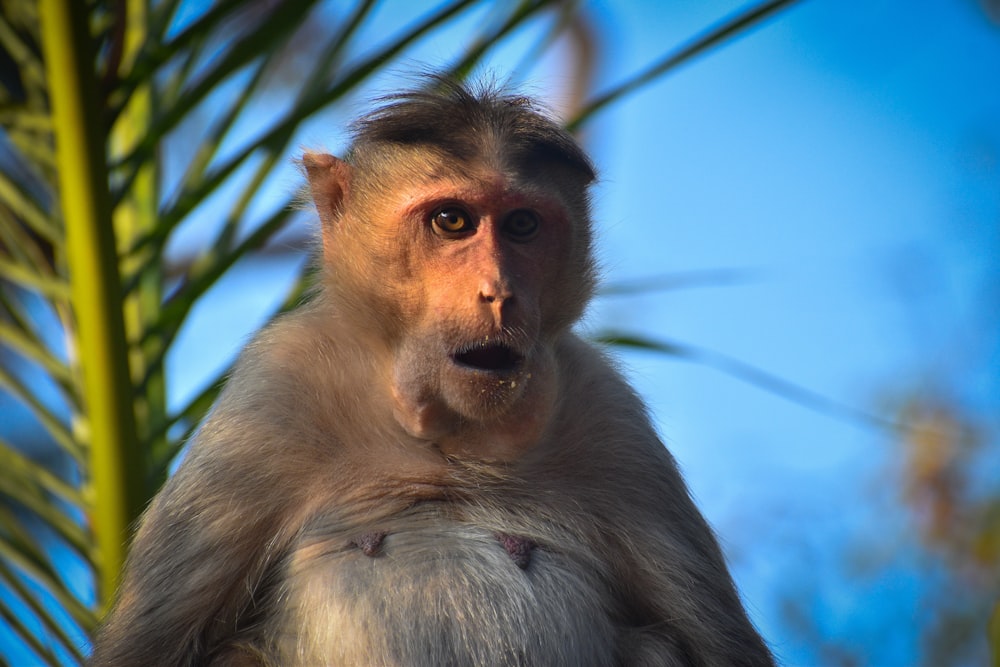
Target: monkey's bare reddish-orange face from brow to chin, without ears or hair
[(478, 261)]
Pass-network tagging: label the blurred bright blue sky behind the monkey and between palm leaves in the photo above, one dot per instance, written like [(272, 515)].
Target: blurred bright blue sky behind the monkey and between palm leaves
[(800, 240)]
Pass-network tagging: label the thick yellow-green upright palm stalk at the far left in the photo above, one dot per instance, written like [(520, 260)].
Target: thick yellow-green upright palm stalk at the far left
[(108, 422)]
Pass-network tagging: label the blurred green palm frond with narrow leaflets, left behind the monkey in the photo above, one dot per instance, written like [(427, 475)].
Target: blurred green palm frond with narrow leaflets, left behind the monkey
[(94, 98)]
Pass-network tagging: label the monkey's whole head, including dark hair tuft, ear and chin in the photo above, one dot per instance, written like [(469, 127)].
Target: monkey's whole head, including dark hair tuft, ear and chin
[(458, 230)]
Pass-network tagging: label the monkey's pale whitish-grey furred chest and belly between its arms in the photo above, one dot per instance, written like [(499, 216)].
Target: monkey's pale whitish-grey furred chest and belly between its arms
[(433, 591)]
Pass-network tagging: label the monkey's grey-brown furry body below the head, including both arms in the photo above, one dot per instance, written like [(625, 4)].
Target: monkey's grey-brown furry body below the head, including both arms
[(307, 527)]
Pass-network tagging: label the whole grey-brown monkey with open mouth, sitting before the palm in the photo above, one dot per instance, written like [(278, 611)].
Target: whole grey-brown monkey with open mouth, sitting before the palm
[(424, 464)]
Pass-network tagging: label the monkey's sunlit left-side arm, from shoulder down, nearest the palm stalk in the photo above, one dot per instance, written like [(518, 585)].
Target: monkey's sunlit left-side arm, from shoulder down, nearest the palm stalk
[(206, 541)]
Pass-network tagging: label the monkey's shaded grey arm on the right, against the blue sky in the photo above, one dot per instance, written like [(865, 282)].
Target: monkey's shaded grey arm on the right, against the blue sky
[(677, 593)]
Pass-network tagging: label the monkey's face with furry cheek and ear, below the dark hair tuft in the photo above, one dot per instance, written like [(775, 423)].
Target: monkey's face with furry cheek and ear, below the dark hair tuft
[(467, 274)]
